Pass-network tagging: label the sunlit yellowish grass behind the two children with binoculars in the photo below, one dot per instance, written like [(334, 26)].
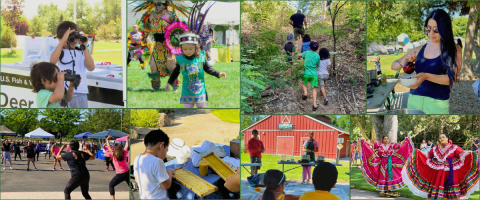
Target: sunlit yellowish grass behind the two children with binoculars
[(115, 57)]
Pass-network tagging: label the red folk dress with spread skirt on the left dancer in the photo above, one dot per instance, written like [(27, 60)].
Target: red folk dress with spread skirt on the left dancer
[(382, 165)]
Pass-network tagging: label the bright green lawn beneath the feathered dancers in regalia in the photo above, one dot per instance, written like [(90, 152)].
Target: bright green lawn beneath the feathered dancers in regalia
[(222, 93)]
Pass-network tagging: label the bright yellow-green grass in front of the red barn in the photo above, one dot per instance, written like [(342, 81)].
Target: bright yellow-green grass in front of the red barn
[(270, 162)]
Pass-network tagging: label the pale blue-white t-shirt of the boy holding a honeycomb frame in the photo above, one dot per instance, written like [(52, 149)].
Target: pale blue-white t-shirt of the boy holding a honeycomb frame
[(150, 171)]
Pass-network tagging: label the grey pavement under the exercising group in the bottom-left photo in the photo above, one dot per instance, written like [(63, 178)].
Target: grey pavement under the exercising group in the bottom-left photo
[(21, 181)]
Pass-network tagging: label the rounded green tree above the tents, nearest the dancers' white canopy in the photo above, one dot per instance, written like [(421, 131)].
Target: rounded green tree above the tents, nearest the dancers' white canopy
[(62, 120)]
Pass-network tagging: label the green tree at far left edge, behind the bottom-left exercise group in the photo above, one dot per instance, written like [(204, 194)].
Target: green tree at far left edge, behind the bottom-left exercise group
[(21, 121)]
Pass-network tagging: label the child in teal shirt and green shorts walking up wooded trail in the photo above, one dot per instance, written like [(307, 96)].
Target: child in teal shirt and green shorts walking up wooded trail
[(312, 60)]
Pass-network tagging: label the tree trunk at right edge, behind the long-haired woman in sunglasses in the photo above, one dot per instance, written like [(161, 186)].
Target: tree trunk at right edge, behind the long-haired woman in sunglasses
[(466, 73)]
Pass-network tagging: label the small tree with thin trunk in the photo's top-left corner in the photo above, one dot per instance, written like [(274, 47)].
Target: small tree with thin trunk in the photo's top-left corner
[(11, 12)]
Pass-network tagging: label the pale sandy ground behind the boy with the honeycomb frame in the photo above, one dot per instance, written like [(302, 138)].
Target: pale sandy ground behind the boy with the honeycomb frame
[(193, 126)]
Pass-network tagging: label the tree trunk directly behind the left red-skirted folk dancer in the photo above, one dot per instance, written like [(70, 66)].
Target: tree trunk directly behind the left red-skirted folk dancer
[(385, 125)]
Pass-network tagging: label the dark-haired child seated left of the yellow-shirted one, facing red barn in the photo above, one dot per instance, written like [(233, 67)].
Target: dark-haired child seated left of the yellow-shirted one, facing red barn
[(274, 181)]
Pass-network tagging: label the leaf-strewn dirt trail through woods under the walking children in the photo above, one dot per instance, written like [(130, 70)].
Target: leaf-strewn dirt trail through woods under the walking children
[(343, 96)]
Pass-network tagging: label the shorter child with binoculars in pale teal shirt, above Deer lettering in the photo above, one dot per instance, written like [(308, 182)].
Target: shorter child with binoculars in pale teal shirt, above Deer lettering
[(47, 82)]
